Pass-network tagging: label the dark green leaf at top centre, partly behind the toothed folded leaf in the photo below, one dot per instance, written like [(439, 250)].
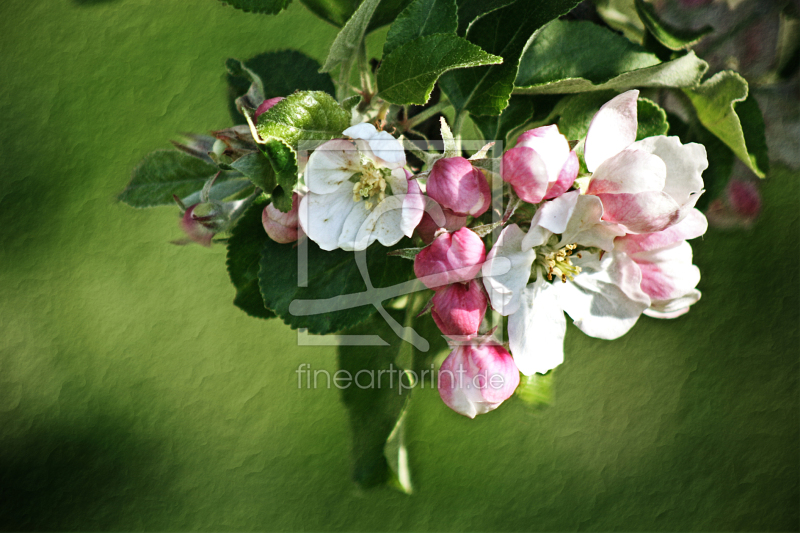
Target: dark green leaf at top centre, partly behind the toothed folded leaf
[(505, 33)]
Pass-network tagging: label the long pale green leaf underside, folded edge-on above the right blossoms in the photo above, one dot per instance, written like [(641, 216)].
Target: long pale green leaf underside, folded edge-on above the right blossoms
[(686, 71)]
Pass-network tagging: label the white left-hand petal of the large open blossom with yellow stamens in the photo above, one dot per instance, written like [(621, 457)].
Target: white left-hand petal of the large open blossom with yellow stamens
[(507, 269)]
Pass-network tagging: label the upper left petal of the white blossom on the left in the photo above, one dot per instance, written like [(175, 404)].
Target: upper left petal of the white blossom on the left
[(331, 165)]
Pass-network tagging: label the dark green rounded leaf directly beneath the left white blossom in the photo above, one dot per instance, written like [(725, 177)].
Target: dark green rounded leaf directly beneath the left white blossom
[(329, 274)]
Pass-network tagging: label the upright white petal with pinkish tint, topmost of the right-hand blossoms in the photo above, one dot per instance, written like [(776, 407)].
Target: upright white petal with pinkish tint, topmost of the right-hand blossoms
[(612, 129)]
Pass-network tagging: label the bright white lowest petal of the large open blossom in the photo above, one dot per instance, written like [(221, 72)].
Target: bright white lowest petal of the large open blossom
[(536, 331)]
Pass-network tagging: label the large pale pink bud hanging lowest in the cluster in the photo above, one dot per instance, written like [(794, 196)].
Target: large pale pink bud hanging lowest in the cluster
[(475, 379)]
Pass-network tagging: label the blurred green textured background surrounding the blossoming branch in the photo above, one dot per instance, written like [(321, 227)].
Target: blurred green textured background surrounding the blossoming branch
[(134, 395)]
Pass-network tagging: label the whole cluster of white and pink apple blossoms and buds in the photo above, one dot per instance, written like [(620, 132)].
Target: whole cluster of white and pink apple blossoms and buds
[(604, 242)]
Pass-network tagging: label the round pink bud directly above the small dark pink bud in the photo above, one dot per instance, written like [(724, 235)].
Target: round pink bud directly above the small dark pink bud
[(451, 258)]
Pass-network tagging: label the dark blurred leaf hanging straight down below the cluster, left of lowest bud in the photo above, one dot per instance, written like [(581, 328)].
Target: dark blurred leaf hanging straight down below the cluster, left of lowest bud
[(373, 411)]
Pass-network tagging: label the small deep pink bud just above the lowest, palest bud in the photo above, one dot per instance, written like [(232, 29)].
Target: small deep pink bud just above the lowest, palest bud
[(458, 309)]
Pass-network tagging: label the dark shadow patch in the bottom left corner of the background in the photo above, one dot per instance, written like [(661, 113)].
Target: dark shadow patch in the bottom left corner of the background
[(81, 476)]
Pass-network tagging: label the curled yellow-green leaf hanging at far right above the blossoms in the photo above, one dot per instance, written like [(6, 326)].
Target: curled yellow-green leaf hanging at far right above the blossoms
[(724, 106)]
